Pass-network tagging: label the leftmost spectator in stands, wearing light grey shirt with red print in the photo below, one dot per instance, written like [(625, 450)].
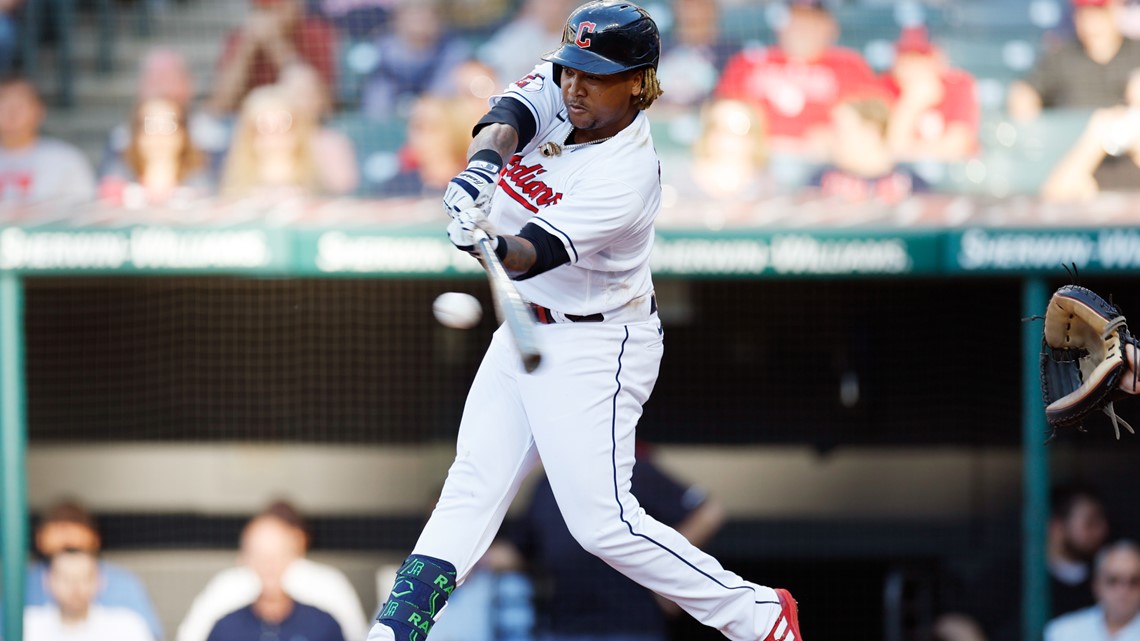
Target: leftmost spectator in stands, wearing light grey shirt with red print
[(32, 168)]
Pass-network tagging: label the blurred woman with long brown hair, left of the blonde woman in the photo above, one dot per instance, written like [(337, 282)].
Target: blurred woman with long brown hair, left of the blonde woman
[(160, 166)]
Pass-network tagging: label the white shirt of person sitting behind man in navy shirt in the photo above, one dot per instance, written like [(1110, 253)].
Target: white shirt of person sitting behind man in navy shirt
[(308, 582)]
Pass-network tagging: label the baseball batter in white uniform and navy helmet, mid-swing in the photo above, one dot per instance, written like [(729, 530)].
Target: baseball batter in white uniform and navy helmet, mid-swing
[(579, 194)]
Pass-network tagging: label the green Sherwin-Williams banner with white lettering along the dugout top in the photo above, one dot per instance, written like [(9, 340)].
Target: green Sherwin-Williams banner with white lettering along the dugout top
[(424, 251)]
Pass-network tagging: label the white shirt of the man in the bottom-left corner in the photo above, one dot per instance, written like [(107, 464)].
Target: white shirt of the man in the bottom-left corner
[(45, 623)]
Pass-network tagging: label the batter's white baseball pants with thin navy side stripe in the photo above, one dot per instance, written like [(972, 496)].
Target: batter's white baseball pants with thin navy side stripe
[(579, 412)]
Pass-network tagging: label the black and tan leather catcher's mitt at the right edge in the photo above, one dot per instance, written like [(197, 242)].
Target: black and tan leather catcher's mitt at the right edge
[(1082, 359)]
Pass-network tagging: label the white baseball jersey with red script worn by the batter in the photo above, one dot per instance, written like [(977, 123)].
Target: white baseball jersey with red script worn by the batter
[(599, 199)]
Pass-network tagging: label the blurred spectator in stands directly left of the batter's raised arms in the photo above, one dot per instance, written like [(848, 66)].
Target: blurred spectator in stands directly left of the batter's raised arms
[(439, 133)]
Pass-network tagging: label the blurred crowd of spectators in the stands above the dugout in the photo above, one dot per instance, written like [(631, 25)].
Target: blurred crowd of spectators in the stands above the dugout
[(164, 102)]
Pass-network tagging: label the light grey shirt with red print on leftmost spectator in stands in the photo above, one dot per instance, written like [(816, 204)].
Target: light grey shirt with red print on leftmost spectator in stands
[(47, 171)]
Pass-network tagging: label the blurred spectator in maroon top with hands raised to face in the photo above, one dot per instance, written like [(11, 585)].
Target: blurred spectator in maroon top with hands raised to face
[(276, 34)]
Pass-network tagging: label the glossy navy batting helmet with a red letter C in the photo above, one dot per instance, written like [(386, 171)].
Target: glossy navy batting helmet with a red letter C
[(606, 37)]
